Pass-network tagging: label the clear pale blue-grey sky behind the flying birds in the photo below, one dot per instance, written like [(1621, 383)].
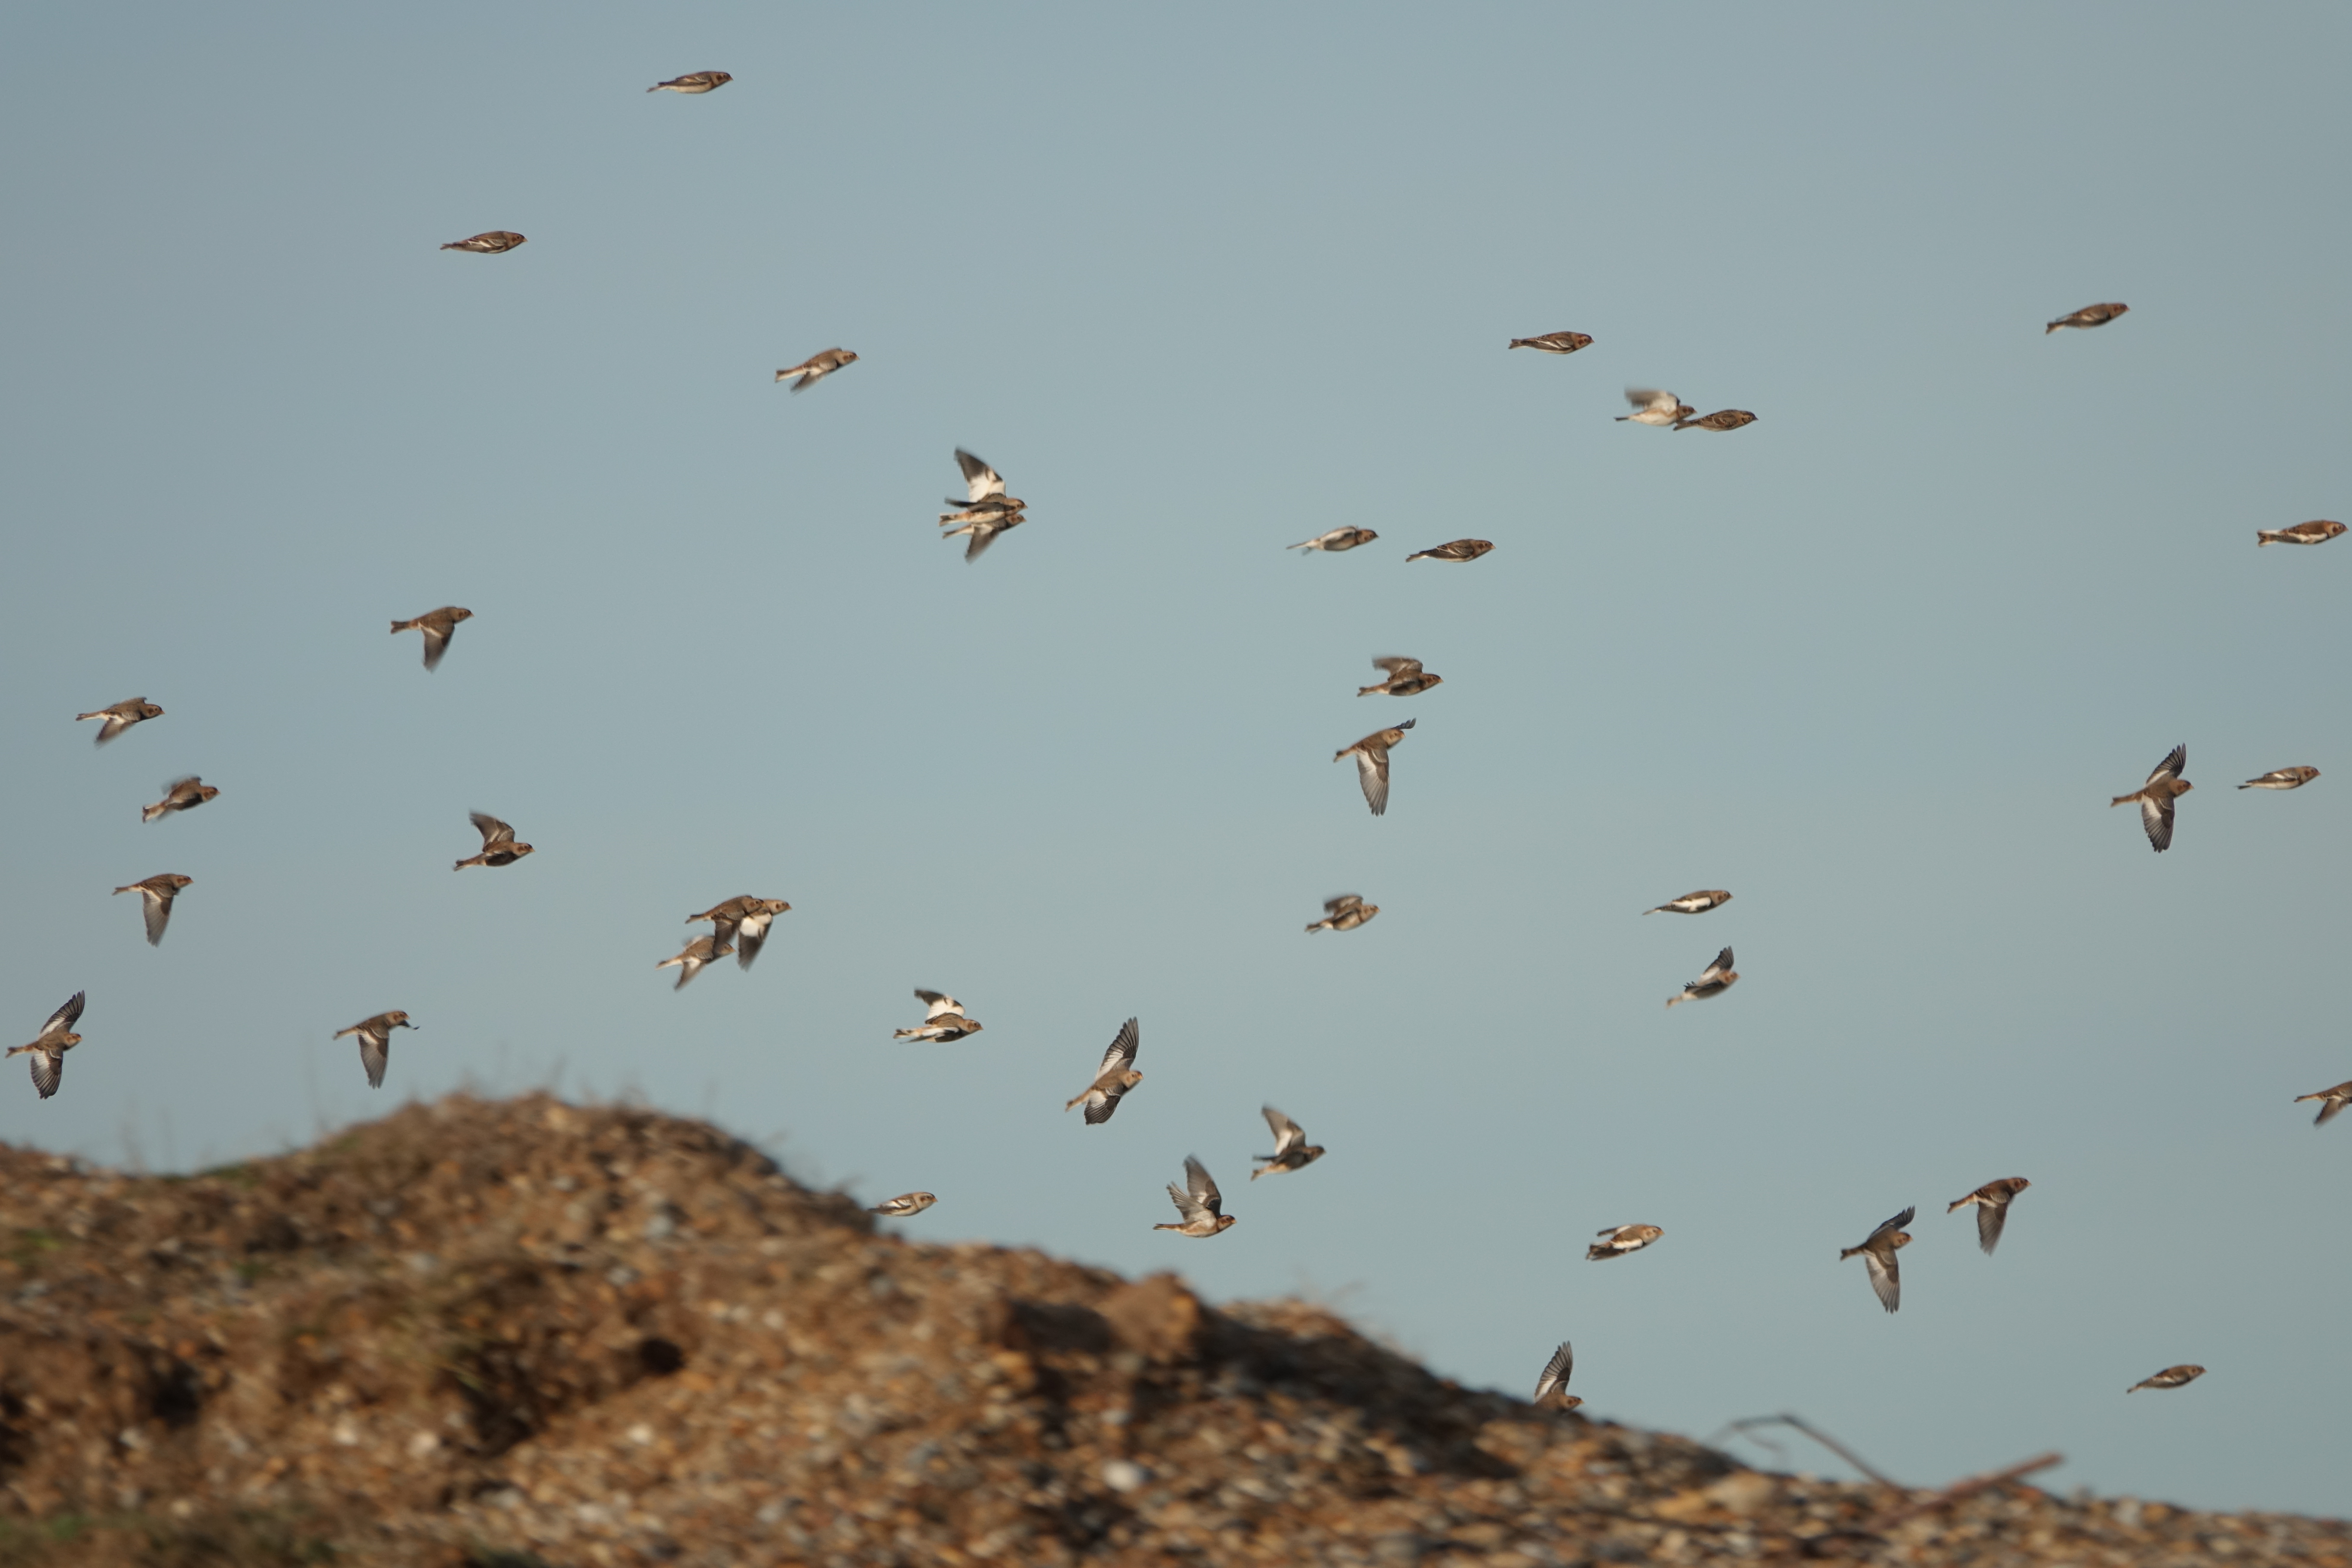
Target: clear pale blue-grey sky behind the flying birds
[(1203, 283)]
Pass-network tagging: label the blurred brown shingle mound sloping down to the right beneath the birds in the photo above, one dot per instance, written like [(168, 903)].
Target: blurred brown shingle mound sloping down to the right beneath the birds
[(521, 1332)]
